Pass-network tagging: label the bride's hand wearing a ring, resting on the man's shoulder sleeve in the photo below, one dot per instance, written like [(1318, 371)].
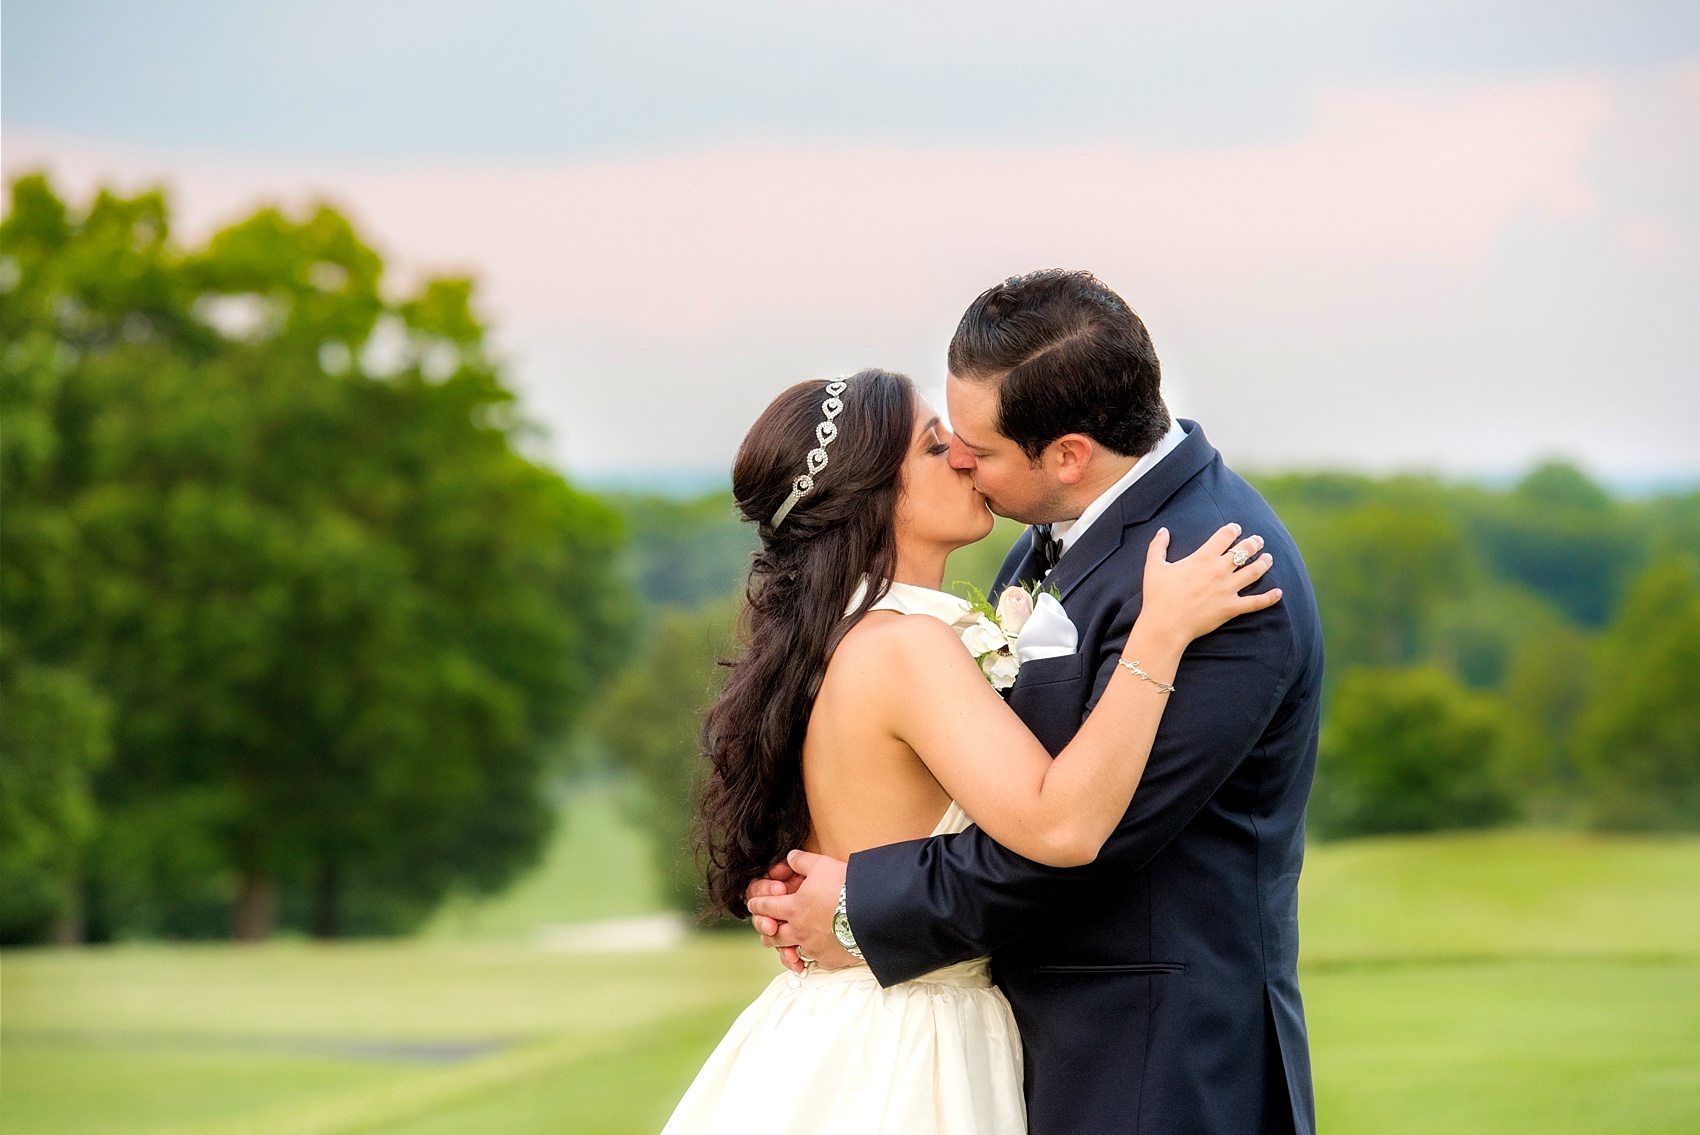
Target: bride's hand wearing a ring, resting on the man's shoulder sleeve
[(1194, 596)]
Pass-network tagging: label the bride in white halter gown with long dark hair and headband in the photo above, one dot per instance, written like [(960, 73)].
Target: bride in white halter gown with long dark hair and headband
[(858, 718)]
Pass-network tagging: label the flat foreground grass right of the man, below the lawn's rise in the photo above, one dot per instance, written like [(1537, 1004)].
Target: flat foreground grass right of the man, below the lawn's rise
[(1507, 1047)]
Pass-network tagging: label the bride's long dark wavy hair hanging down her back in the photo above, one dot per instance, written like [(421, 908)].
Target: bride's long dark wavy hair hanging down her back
[(754, 810)]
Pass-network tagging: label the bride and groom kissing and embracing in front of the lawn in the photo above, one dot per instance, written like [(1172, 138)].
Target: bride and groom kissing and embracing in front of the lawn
[(1031, 861)]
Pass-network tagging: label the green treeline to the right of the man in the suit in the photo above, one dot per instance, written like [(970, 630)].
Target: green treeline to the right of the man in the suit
[(1502, 657)]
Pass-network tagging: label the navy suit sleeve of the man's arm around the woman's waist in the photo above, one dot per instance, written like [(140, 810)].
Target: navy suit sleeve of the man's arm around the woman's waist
[(929, 903)]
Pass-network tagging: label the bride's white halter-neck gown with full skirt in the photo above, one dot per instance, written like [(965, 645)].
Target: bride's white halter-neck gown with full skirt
[(834, 1054)]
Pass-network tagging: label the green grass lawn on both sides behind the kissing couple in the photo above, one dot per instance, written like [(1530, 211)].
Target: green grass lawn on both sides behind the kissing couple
[(1502, 983)]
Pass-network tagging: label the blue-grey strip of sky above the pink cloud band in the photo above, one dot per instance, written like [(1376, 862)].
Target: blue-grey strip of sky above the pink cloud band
[(526, 79)]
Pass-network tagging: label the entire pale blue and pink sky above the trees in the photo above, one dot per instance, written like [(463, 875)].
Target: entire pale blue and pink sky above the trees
[(1434, 237)]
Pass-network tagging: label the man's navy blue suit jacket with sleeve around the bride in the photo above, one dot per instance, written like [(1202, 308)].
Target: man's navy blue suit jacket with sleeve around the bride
[(1157, 990)]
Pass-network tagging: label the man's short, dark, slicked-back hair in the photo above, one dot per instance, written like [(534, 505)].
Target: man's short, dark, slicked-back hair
[(1068, 358)]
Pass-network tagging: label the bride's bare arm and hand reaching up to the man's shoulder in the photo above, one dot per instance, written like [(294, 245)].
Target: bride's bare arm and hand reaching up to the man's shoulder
[(1060, 811)]
